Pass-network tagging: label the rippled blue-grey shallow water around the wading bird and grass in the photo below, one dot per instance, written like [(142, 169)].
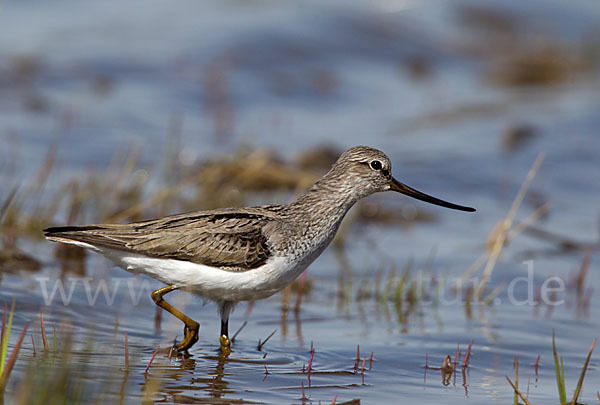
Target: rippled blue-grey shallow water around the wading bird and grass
[(417, 82)]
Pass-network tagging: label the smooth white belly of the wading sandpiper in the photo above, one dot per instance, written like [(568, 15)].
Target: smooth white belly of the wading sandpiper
[(210, 282)]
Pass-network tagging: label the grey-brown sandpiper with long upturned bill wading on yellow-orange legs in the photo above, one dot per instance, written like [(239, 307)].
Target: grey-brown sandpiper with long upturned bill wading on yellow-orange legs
[(241, 254)]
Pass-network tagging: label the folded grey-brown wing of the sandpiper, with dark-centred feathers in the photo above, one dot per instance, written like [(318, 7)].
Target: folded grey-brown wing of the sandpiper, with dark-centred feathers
[(231, 239)]
